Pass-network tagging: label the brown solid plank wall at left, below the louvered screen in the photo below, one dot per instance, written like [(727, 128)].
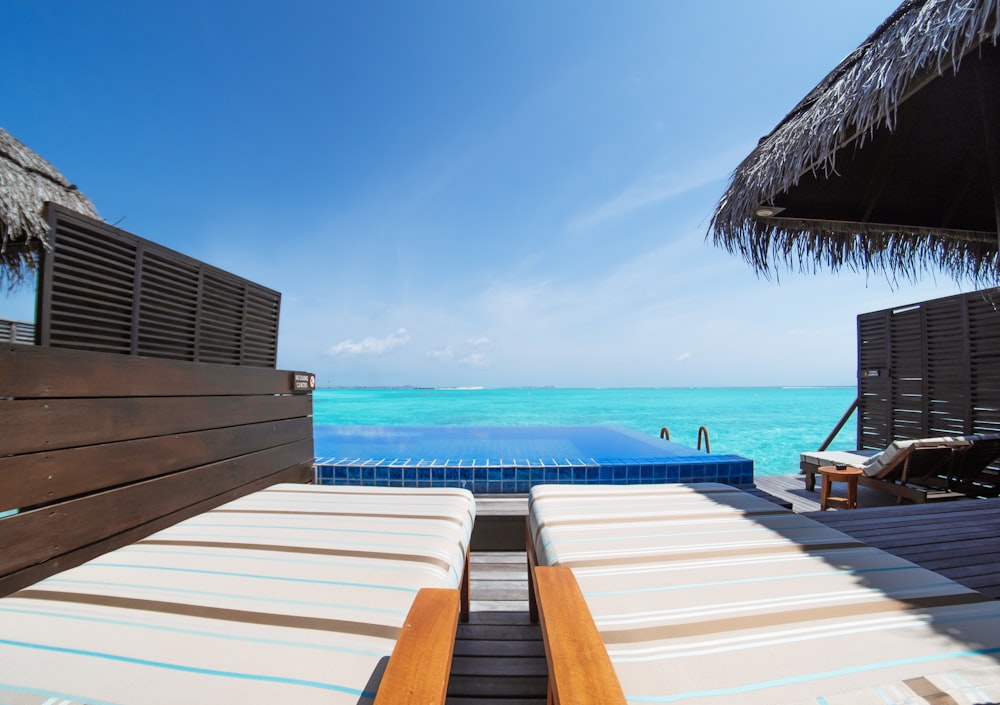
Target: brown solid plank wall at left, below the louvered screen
[(99, 450)]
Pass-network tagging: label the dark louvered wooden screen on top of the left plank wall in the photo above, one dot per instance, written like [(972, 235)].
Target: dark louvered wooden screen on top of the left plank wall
[(106, 290)]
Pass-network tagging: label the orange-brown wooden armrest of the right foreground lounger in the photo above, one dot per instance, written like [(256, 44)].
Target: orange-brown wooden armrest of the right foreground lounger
[(580, 672)]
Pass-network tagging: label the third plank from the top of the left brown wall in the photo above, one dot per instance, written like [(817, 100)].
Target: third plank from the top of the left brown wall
[(49, 476)]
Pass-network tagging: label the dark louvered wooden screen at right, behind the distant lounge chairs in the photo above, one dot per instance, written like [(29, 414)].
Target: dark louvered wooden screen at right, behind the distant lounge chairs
[(931, 369)]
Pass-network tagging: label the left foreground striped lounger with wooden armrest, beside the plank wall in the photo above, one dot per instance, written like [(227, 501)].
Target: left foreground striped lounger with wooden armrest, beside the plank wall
[(296, 593)]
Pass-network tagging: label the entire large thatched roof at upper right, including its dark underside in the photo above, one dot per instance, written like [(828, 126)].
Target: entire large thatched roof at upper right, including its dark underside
[(886, 165)]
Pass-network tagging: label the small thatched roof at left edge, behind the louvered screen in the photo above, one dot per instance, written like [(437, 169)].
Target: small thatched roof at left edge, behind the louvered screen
[(26, 182)]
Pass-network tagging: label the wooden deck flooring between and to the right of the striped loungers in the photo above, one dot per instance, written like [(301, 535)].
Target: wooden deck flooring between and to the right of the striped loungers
[(499, 655)]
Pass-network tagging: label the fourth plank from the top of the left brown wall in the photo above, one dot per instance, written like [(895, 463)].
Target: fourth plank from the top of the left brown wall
[(41, 534)]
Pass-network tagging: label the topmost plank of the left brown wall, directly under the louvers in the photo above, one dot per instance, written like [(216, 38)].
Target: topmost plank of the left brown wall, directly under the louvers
[(30, 372)]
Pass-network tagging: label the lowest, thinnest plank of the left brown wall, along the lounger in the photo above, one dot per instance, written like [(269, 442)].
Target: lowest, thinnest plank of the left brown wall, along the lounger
[(301, 472)]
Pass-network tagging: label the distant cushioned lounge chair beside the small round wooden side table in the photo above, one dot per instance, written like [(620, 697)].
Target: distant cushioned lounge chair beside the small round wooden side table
[(916, 470)]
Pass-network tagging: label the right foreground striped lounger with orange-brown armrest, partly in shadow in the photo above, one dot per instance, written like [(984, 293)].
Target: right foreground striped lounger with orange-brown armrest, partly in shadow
[(704, 594)]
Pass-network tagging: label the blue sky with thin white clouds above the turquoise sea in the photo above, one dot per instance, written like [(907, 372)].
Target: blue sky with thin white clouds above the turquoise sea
[(456, 193)]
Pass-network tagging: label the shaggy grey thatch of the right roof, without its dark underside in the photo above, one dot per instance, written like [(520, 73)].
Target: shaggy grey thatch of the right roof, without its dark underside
[(921, 40)]
